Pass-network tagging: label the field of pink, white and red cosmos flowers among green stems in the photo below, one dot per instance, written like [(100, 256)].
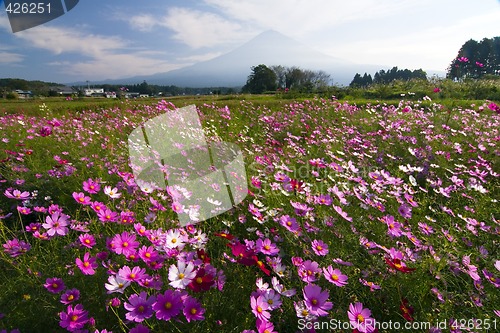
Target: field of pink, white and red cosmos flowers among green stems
[(356, 217)]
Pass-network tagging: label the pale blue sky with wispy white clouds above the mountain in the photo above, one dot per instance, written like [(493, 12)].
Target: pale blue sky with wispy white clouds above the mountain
[(112, 39)]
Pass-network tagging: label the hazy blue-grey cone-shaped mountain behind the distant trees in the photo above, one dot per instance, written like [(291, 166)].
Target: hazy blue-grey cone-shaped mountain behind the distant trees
[(269, 48)]
